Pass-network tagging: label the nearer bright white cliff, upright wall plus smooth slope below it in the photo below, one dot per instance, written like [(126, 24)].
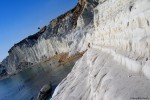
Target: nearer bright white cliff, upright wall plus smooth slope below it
[(117, 67)]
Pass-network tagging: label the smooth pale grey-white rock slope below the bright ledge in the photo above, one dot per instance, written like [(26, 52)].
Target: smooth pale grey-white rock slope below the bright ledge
[(98, 76)]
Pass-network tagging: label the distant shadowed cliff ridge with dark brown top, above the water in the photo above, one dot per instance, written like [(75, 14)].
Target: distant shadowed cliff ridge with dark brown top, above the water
[(53, 39)]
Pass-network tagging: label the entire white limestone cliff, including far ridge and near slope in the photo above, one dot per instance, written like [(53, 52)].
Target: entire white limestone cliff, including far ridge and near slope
[(116, 65)]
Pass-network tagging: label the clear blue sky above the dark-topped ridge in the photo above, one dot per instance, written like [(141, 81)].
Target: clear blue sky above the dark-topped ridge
[(21, 18)]
